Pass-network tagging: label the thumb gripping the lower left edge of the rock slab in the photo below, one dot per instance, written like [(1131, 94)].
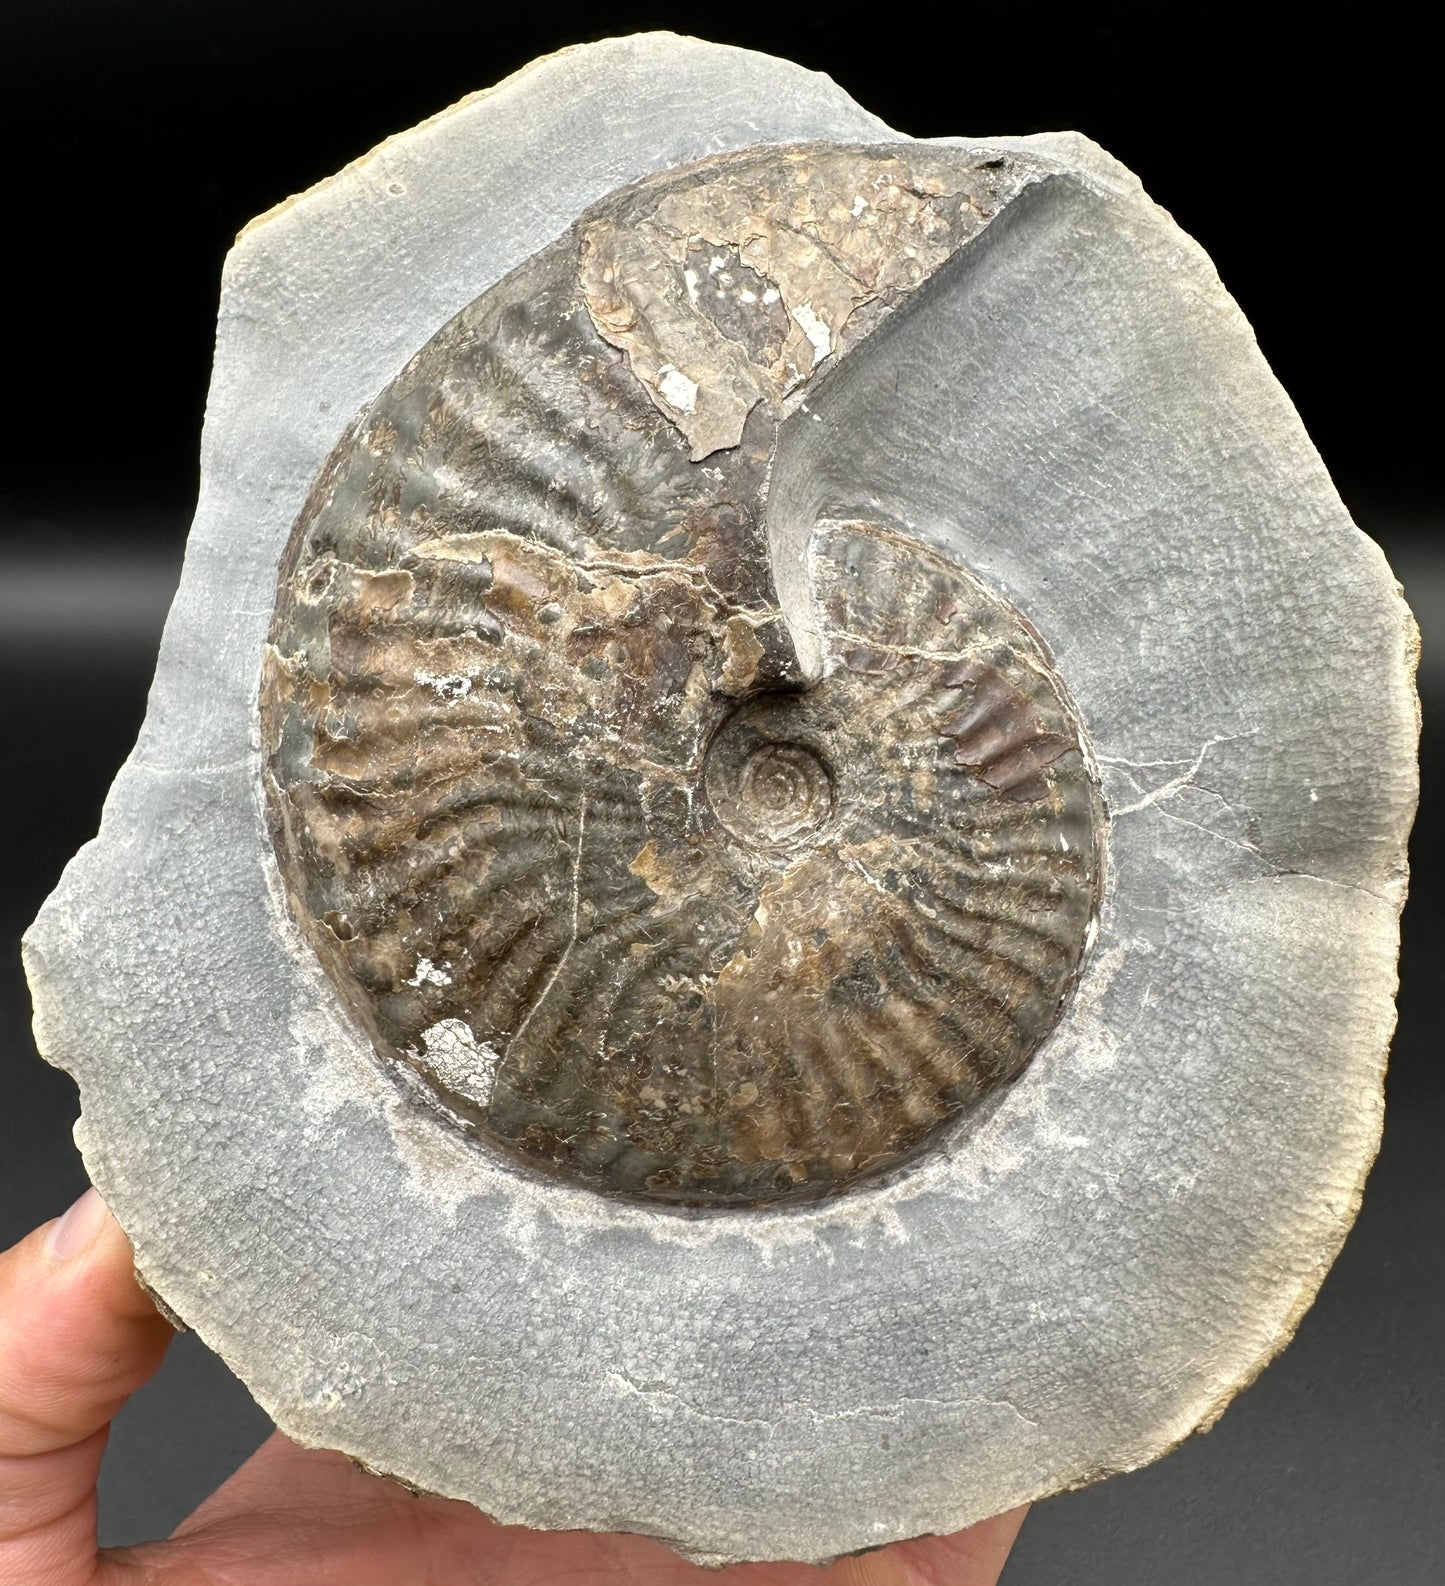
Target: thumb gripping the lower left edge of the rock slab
[(77, 1339)]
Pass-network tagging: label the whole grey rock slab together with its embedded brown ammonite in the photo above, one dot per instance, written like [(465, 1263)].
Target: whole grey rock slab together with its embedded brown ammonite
[(759, 902)]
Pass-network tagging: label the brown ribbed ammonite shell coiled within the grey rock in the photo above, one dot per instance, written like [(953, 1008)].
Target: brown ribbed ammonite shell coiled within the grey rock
[(611, 864)]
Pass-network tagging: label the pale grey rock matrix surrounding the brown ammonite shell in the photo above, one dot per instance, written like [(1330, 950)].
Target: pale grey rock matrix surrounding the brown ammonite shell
[(1098, 1255)]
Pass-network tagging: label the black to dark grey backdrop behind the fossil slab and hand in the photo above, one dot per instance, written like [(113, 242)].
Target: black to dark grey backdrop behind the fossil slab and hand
[(140, 136)]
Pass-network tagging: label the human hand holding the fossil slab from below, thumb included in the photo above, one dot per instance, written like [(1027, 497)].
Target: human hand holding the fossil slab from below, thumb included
[(79, 1338)]
